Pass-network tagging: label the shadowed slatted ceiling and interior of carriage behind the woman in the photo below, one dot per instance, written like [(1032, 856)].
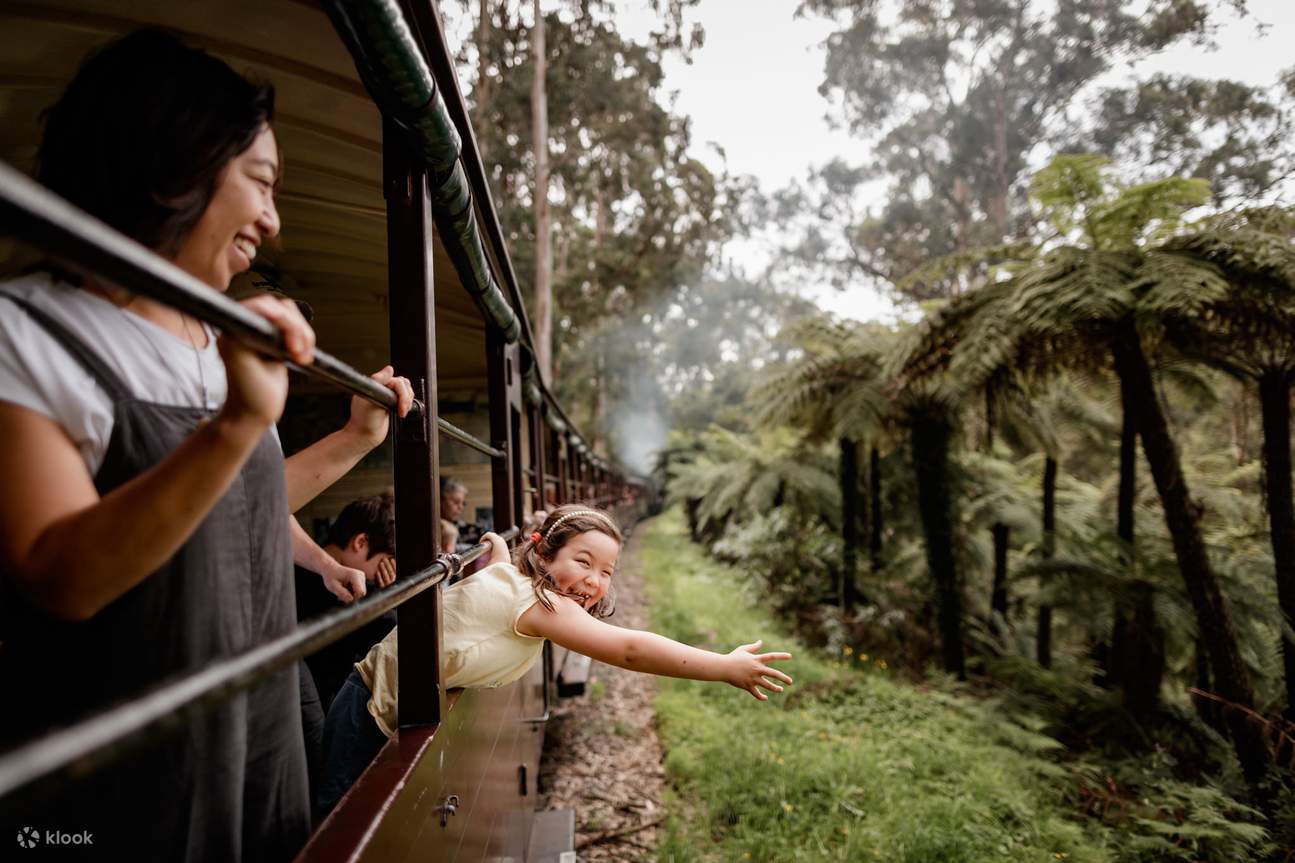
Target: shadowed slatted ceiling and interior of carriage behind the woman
[(332, 253)]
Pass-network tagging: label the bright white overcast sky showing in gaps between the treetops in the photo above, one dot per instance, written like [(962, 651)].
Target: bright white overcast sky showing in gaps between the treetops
[(753, 90)]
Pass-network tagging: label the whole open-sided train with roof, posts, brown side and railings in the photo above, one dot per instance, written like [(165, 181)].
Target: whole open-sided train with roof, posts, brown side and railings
[(392, 244)]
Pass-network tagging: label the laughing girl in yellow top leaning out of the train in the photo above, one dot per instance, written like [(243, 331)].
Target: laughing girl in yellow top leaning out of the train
[(557, 588)]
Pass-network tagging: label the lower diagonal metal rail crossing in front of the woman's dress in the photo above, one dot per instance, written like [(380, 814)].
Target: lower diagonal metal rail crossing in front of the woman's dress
[(103, 738)]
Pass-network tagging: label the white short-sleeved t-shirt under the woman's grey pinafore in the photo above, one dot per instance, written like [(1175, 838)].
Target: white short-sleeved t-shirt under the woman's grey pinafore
[(37, 373)]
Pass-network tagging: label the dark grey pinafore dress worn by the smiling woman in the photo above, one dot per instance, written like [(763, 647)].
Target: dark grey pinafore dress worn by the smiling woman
[(231, 785)]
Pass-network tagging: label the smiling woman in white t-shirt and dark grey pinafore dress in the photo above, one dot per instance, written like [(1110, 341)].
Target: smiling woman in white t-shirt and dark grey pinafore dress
[(144, 523)]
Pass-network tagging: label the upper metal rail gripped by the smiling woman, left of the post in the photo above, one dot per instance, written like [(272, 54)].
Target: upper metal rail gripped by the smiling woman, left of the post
[(34, 213)]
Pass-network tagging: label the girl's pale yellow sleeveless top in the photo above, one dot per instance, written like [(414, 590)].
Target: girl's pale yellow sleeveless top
[(484, 649)]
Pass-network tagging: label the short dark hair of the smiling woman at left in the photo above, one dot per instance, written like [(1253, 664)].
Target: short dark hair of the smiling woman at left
[(143, 133)]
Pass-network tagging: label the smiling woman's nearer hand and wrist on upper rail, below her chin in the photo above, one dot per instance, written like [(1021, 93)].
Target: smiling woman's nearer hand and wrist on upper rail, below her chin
[(258, 385)]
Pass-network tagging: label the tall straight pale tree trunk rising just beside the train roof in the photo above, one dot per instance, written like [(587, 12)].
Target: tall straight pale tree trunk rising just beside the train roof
[(543, 220)]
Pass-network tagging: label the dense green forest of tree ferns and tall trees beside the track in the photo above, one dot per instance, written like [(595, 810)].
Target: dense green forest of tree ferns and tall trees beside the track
[(1066, 483)]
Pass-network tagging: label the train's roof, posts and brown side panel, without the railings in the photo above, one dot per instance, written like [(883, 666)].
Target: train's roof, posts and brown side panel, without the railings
[(381, 209)]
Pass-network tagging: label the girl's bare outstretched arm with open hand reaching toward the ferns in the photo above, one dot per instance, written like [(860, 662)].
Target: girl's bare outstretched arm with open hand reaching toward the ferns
[(570, 627)]
